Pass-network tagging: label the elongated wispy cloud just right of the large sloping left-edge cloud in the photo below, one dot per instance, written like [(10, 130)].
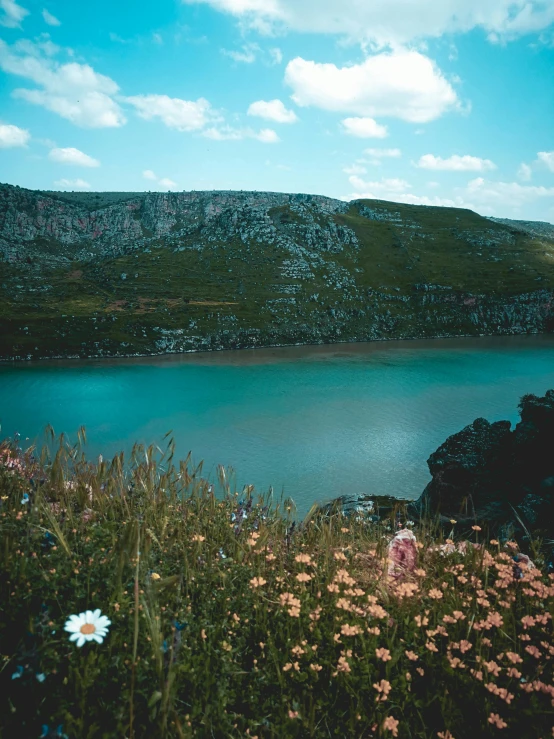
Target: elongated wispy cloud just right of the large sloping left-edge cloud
[(184, 115)]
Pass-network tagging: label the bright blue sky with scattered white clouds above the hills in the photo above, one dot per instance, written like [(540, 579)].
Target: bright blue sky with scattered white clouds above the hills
[(432, 102)]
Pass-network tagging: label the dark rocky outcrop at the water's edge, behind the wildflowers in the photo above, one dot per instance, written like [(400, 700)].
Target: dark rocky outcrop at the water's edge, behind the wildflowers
[(487, 474)]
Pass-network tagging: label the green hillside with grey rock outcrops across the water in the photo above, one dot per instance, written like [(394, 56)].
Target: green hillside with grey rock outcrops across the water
[(101, 274)]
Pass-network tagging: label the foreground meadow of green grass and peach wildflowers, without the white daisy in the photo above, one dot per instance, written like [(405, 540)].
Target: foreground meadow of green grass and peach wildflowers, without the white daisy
[(229, 619)]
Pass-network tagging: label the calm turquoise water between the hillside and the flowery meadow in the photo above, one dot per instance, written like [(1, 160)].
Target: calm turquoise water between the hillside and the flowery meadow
[(312, 422)]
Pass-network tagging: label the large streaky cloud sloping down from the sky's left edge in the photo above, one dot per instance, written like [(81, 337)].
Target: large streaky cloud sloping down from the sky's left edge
[(73, 91)]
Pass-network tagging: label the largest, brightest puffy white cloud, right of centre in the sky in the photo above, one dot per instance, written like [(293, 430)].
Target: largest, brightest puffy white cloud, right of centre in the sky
[(401, 84)]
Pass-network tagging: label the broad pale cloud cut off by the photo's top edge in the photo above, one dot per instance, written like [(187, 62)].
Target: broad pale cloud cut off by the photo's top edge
[(383, 22)]
